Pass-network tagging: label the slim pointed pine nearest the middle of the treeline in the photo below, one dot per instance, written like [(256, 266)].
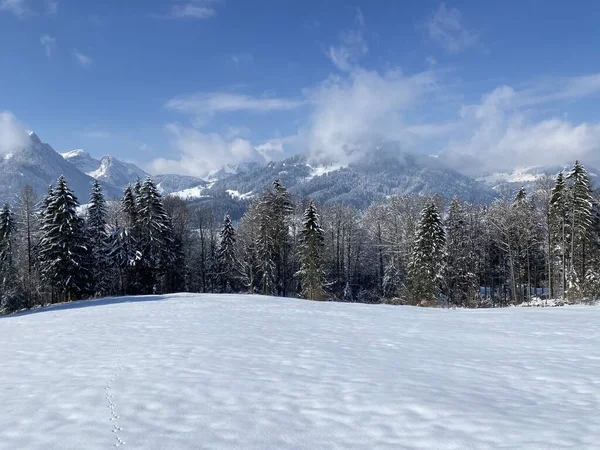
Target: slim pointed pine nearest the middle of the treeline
[(311, 247)]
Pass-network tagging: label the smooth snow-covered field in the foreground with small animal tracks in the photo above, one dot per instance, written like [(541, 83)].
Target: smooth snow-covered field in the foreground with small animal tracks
[(216, 372)]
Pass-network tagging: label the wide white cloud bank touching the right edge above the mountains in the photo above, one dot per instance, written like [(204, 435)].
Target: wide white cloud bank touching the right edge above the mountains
[(503, 131)]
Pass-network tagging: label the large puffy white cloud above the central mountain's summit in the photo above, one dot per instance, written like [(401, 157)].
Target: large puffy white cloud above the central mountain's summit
[(352, 113)]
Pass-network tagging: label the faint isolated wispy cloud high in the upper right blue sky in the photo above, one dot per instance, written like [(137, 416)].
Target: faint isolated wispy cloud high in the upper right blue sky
[(446, 28)]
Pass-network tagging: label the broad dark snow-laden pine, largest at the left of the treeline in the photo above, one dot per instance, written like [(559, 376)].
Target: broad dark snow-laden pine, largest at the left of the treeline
[(63, 251)]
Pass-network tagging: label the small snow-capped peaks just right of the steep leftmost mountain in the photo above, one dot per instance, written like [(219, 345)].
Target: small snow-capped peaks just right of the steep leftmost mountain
[(108, 169)]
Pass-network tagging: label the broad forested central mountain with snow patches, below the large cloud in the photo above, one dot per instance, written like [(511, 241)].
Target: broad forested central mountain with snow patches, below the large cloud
[(374, 177)]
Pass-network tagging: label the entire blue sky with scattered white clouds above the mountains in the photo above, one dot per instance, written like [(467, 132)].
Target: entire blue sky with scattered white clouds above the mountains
[(189, 85)]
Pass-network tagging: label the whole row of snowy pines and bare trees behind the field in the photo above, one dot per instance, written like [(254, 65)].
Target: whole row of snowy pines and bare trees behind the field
[(405, 250)]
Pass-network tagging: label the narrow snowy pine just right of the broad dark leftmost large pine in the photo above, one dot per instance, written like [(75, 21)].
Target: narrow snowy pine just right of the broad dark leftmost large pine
[(98, 241)]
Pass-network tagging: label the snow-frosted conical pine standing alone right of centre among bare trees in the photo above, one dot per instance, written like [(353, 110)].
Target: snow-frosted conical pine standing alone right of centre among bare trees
[(426, 263)]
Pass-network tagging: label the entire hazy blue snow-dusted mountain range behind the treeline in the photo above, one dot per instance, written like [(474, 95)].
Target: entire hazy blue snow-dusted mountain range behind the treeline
[(383, 172)]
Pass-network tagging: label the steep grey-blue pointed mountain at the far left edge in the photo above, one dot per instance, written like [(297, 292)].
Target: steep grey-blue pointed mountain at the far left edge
[(37, 164)]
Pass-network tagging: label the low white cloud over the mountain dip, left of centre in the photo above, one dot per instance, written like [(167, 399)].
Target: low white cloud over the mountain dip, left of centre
[(201, 154)]
